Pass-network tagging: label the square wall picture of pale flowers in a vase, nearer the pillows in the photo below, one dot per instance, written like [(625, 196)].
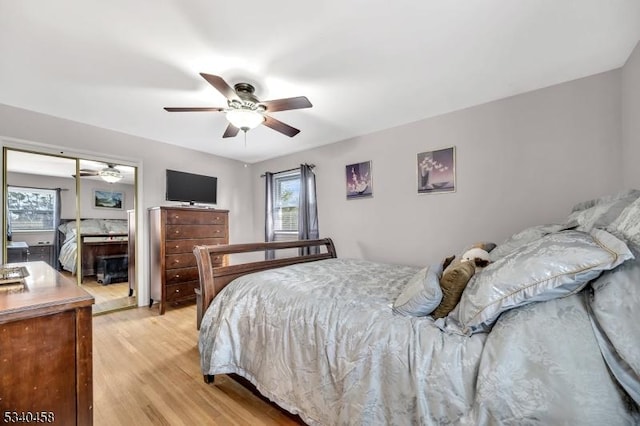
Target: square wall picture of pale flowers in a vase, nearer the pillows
[(436, 171)]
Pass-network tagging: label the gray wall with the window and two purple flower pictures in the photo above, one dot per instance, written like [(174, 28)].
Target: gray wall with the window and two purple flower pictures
[(520, 161)]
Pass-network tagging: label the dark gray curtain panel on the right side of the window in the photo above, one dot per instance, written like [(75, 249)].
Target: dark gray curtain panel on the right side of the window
[(308, 209)]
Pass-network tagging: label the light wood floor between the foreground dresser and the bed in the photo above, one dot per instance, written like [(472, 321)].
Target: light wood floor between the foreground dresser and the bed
[(146, 371)]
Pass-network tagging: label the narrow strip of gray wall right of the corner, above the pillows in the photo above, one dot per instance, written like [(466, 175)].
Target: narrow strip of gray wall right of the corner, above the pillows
[(631, 119)]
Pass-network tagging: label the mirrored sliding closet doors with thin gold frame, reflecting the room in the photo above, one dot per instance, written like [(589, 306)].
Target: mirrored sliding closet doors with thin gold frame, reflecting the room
[(78, 215)]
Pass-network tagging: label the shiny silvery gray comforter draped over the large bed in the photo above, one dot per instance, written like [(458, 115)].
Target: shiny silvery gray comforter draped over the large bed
[(321, 340)]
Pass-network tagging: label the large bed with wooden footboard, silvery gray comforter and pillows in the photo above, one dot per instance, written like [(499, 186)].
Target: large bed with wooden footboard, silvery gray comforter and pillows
[(548, 333)]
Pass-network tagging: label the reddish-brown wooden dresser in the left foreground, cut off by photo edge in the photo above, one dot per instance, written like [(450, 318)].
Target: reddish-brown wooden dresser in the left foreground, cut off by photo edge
[(46, 350)]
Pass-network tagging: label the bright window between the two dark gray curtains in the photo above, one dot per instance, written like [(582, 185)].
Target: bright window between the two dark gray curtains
[(285, 204)]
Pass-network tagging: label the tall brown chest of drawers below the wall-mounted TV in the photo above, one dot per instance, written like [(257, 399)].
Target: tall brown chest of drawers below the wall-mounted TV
[(173, 232)]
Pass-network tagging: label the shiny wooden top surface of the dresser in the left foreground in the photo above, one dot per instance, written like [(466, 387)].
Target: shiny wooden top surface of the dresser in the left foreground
[(46, 291)]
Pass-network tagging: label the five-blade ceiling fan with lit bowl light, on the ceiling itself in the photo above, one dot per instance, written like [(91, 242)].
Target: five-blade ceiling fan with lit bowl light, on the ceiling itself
[(245, 111)]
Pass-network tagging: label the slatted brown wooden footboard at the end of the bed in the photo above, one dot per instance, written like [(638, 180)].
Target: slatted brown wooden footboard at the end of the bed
[(213, 279)]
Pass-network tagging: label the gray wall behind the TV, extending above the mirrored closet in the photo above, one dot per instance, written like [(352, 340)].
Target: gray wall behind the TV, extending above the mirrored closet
[(22, 128)]
